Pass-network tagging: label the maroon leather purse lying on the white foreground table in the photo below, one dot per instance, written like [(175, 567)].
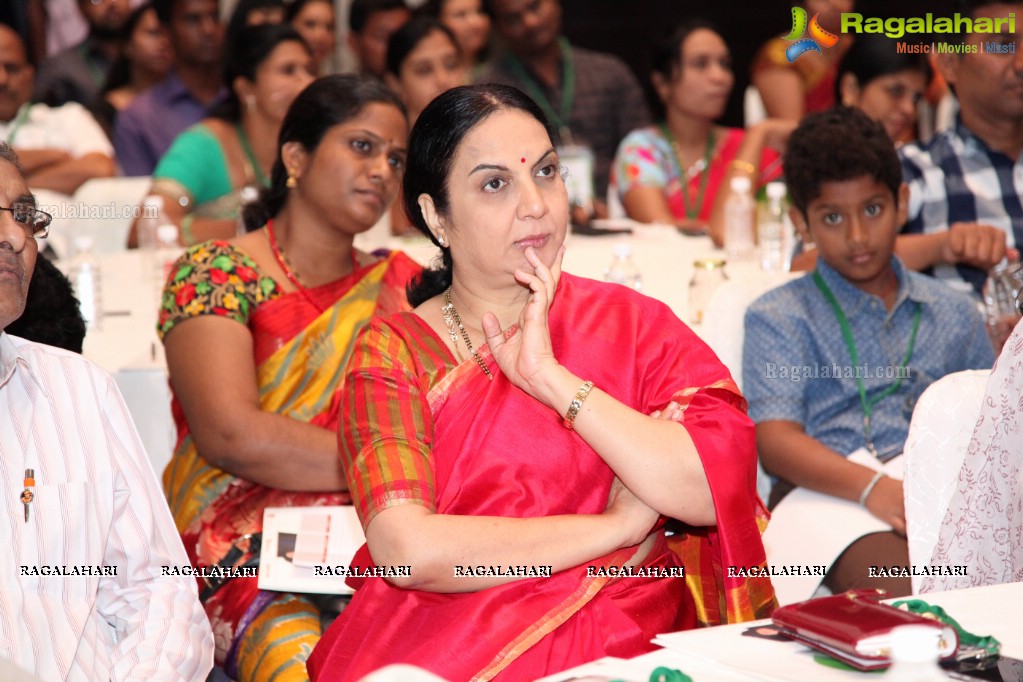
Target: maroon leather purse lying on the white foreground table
[(855, 627)]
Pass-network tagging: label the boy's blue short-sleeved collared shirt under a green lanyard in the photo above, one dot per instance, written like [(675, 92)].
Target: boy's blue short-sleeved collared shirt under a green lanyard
[(794, 350)]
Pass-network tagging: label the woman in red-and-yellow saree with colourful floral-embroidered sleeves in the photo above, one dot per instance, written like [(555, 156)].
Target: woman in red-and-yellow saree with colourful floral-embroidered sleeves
[(258, 333)]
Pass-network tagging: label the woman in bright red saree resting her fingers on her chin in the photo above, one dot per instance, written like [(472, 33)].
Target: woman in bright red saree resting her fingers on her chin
[(515, 493)]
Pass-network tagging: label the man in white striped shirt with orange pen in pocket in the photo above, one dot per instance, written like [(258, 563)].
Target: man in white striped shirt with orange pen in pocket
[(83, 596)]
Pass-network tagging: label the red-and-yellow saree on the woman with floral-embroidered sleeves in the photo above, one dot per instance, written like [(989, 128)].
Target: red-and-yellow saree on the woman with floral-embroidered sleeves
[(301, 348)]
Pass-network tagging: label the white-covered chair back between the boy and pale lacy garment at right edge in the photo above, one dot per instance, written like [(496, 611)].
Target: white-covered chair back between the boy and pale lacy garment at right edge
[(940, 434)]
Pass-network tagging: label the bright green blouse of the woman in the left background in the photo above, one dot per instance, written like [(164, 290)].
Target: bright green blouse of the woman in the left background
[(197, 161)]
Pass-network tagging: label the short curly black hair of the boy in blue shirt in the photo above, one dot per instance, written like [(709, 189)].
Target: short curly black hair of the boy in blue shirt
[(836, 146)]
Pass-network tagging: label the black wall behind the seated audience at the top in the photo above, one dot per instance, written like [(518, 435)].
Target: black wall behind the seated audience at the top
[(629, 28)]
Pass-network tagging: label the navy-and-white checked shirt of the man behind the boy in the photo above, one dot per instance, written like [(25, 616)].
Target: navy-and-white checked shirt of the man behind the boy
[(957, 178)]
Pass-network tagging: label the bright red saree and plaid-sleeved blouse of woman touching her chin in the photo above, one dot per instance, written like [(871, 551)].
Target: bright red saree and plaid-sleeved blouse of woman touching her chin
[(421, 429)]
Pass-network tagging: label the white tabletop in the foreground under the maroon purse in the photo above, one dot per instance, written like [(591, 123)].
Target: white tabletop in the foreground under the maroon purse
[(724, 654)]
